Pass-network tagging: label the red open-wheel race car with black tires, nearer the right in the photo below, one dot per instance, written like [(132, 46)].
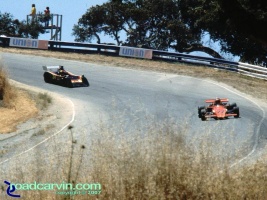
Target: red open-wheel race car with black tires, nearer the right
[(218, 109)]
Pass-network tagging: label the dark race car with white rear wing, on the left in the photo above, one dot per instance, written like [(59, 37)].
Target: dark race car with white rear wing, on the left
[(58, 75)]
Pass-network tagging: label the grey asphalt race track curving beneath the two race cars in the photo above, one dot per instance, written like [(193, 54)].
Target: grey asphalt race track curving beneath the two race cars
[(133, 97)]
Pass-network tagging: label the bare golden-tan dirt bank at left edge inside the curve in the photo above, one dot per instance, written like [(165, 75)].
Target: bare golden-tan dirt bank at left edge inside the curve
[(23, 108)]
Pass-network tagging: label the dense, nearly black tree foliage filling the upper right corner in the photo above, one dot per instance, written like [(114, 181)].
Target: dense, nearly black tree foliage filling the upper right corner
[(239, 25)]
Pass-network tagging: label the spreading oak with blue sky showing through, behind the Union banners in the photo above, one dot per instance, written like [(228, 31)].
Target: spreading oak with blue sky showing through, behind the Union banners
[(156, 24)]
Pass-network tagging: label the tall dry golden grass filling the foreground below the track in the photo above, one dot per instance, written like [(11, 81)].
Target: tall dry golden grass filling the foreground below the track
[(158, 164)]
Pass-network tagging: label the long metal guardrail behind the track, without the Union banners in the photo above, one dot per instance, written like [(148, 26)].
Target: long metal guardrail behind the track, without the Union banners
[(113, 50)]
